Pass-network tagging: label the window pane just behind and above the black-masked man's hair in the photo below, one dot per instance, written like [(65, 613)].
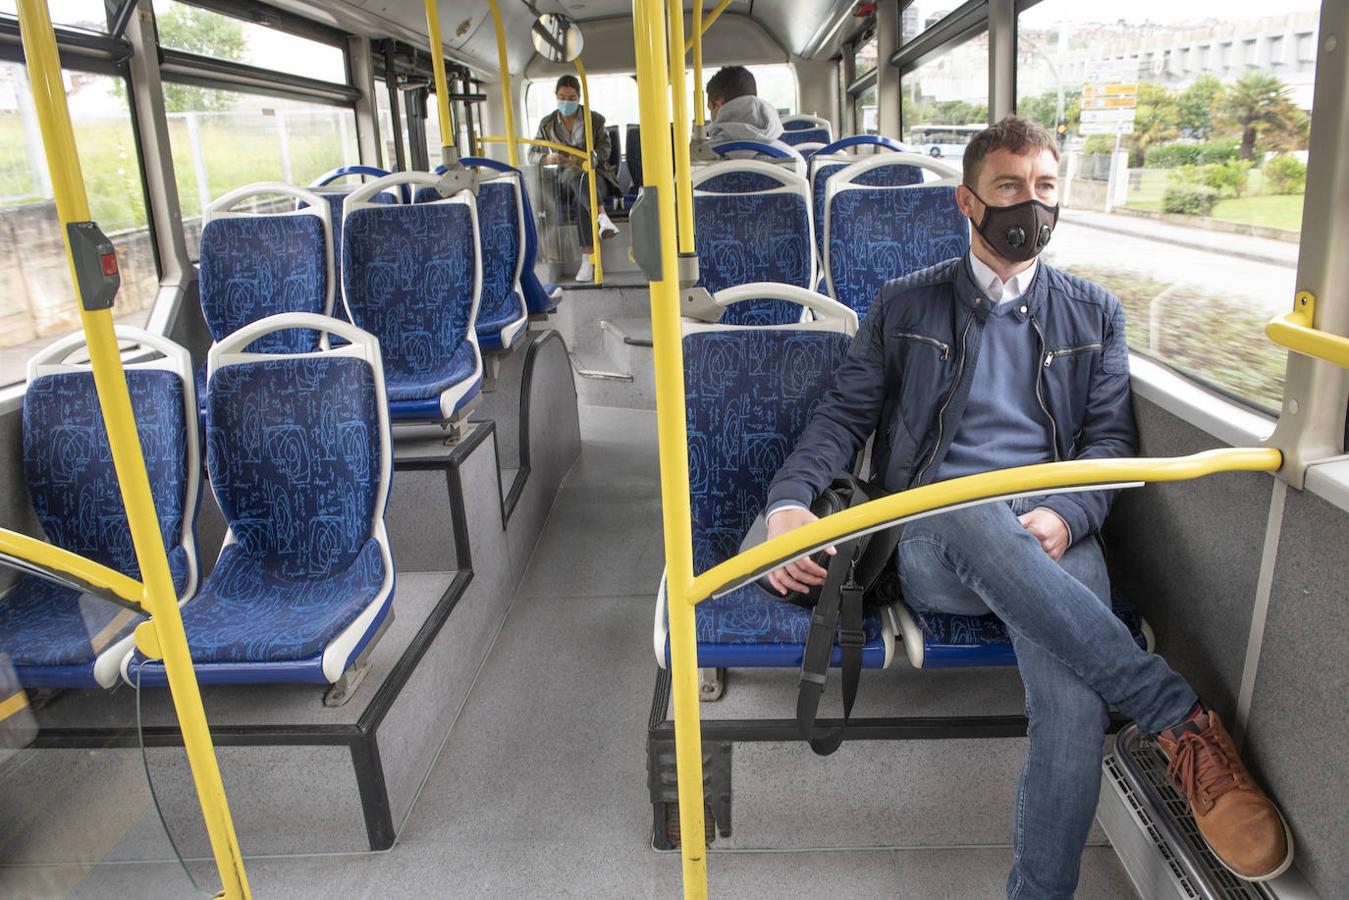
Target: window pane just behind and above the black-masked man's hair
[(949, 91)]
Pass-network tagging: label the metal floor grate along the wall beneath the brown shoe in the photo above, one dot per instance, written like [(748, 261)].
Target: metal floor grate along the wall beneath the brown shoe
[(1141, 767)]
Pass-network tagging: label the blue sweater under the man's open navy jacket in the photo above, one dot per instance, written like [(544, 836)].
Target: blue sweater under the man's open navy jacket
[(1004, 424)]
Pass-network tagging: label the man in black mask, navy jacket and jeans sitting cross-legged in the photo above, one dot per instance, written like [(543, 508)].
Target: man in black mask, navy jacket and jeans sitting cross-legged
[(995, 361)]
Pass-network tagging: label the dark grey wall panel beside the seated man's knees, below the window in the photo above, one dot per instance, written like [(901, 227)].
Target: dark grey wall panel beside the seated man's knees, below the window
[(1189, 557)]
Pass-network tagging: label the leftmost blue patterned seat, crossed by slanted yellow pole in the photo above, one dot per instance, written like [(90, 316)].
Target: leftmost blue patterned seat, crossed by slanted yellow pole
[(55, 635)]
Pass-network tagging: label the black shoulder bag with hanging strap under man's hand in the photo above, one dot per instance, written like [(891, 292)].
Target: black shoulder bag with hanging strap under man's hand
[(838, 607)]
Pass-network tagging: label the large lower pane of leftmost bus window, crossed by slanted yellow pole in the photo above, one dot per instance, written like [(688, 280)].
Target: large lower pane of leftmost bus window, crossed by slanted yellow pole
[(38, 302)]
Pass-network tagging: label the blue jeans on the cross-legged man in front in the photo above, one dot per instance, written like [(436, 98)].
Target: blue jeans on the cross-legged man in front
[(1074, 658)]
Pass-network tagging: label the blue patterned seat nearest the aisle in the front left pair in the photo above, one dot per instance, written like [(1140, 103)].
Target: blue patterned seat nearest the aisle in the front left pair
[(296, 459)]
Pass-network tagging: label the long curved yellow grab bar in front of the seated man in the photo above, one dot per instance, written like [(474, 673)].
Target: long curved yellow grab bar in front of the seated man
[(972, 489)]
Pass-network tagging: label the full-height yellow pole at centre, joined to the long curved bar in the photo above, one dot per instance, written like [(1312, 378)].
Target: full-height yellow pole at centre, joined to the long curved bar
[(654, 94)]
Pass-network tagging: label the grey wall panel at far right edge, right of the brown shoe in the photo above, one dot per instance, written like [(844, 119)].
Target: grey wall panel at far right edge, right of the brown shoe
[(1298, 732)]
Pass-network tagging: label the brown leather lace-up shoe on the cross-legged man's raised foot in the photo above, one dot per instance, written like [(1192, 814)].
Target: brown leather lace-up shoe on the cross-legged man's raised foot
[(1238, 821)]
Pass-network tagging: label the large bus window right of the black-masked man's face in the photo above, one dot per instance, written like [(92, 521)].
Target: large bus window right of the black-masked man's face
[(1182, 171)]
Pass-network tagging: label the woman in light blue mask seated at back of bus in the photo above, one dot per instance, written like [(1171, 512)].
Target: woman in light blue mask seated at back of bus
[(566, 126)]
